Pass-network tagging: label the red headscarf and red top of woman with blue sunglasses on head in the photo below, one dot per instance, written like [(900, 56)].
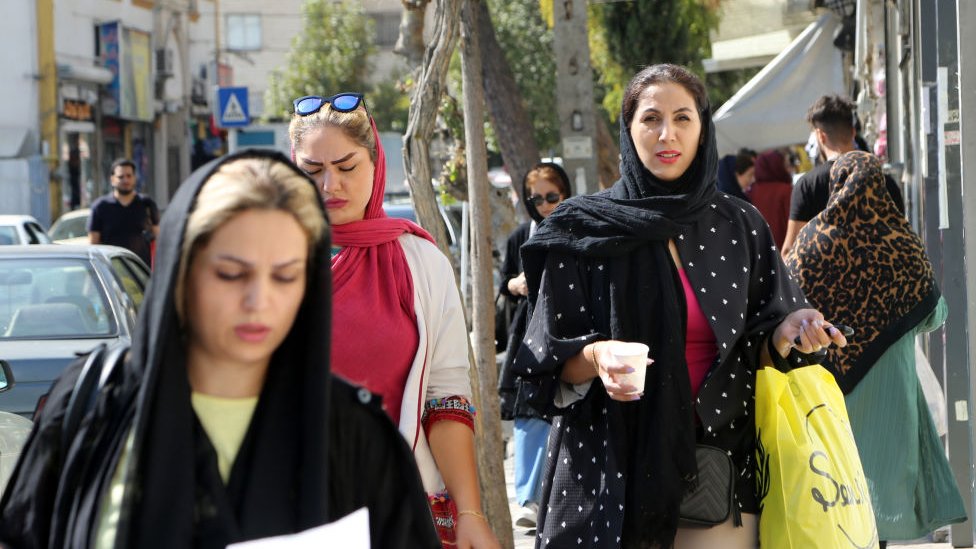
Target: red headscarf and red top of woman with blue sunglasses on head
[(374, 324)]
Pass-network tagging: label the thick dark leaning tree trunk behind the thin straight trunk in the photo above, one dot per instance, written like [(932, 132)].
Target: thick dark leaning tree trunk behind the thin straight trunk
[(506, 109)]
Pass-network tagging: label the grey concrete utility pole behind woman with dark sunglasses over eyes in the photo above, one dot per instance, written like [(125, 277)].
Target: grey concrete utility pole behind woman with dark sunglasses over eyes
[(574, 88)]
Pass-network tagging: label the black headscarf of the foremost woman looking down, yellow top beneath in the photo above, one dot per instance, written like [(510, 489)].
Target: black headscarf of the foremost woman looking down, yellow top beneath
[(279, 477)]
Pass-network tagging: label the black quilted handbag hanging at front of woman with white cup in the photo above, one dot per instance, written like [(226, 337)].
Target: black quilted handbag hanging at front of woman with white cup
[(709, 501)]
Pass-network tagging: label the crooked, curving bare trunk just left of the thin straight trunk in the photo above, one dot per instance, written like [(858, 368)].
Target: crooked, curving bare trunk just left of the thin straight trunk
[(423, 114)]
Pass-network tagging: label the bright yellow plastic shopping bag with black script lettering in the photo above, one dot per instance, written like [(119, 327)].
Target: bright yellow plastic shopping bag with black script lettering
[(811, 486)]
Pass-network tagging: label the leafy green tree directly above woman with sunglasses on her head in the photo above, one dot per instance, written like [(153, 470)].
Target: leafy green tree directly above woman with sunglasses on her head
[(331, 54)]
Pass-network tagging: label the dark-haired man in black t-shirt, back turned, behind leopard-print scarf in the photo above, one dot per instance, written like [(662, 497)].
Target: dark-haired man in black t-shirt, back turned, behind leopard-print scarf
[(832, 118)]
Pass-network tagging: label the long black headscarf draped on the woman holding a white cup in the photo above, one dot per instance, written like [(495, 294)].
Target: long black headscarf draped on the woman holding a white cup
[(637, 217)]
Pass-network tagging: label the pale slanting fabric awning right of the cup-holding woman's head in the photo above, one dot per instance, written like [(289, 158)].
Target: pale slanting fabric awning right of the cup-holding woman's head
[(770, 110)]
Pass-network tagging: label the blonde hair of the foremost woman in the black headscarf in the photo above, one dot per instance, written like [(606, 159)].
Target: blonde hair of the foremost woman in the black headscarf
[(241, 185)]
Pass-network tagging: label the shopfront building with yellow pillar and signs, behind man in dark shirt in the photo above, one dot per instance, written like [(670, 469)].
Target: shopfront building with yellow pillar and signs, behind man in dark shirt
[(90, 81)]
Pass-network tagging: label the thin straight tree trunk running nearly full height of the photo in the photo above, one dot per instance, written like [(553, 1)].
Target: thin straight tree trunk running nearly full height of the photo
[(489, 436)]
